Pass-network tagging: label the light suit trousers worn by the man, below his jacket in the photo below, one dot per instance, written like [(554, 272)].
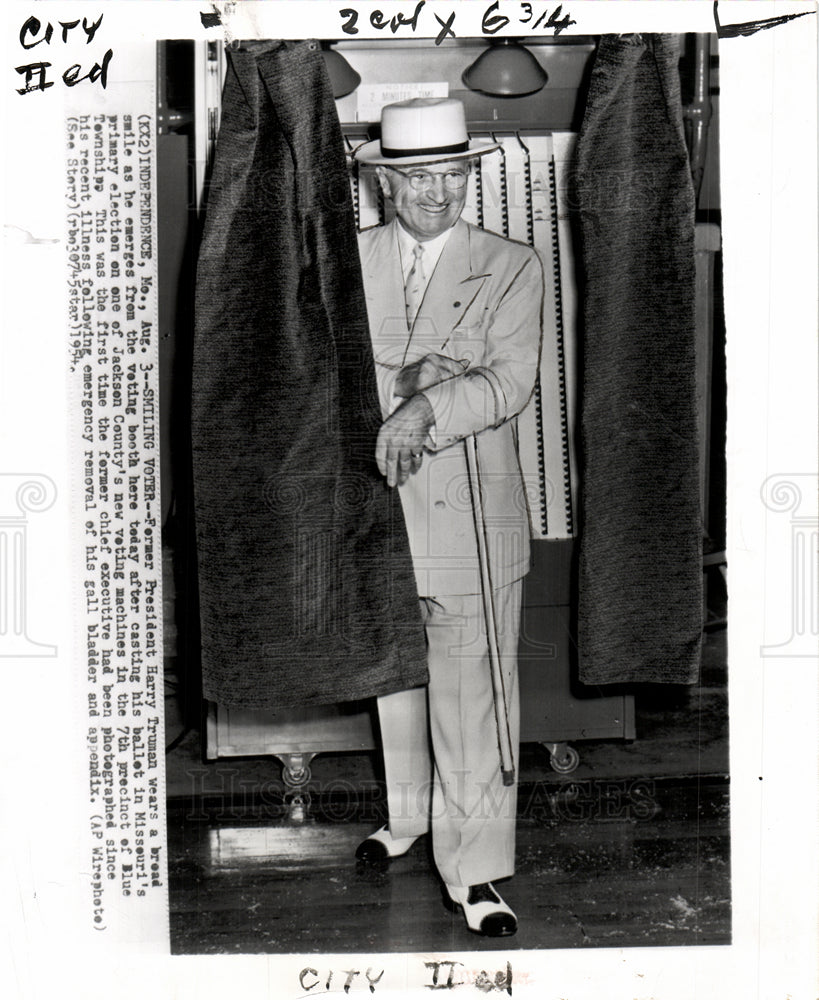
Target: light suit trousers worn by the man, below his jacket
[(441, 756)]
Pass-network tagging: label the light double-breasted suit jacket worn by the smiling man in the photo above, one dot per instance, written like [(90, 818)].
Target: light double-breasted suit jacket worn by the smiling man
[(482, 306)]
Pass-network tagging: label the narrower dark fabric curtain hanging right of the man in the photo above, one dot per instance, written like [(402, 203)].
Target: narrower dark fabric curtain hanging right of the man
[(640, 572)]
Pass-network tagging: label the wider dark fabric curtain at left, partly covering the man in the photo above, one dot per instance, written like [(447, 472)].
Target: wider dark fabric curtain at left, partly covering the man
[(306, 584)]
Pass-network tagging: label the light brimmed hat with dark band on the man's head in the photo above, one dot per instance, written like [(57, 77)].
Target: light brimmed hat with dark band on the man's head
[(422, 130)]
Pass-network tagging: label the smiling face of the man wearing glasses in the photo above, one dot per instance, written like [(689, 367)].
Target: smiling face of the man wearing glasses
[(428, 199)]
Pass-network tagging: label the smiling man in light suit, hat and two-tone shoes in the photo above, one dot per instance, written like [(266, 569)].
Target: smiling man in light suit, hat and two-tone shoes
[(455, 320)]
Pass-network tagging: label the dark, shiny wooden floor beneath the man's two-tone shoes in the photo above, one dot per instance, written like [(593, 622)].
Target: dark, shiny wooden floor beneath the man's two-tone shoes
[(607, 865)]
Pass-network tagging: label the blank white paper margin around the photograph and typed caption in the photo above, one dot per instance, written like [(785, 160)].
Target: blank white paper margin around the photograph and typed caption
[(769, 196)]
